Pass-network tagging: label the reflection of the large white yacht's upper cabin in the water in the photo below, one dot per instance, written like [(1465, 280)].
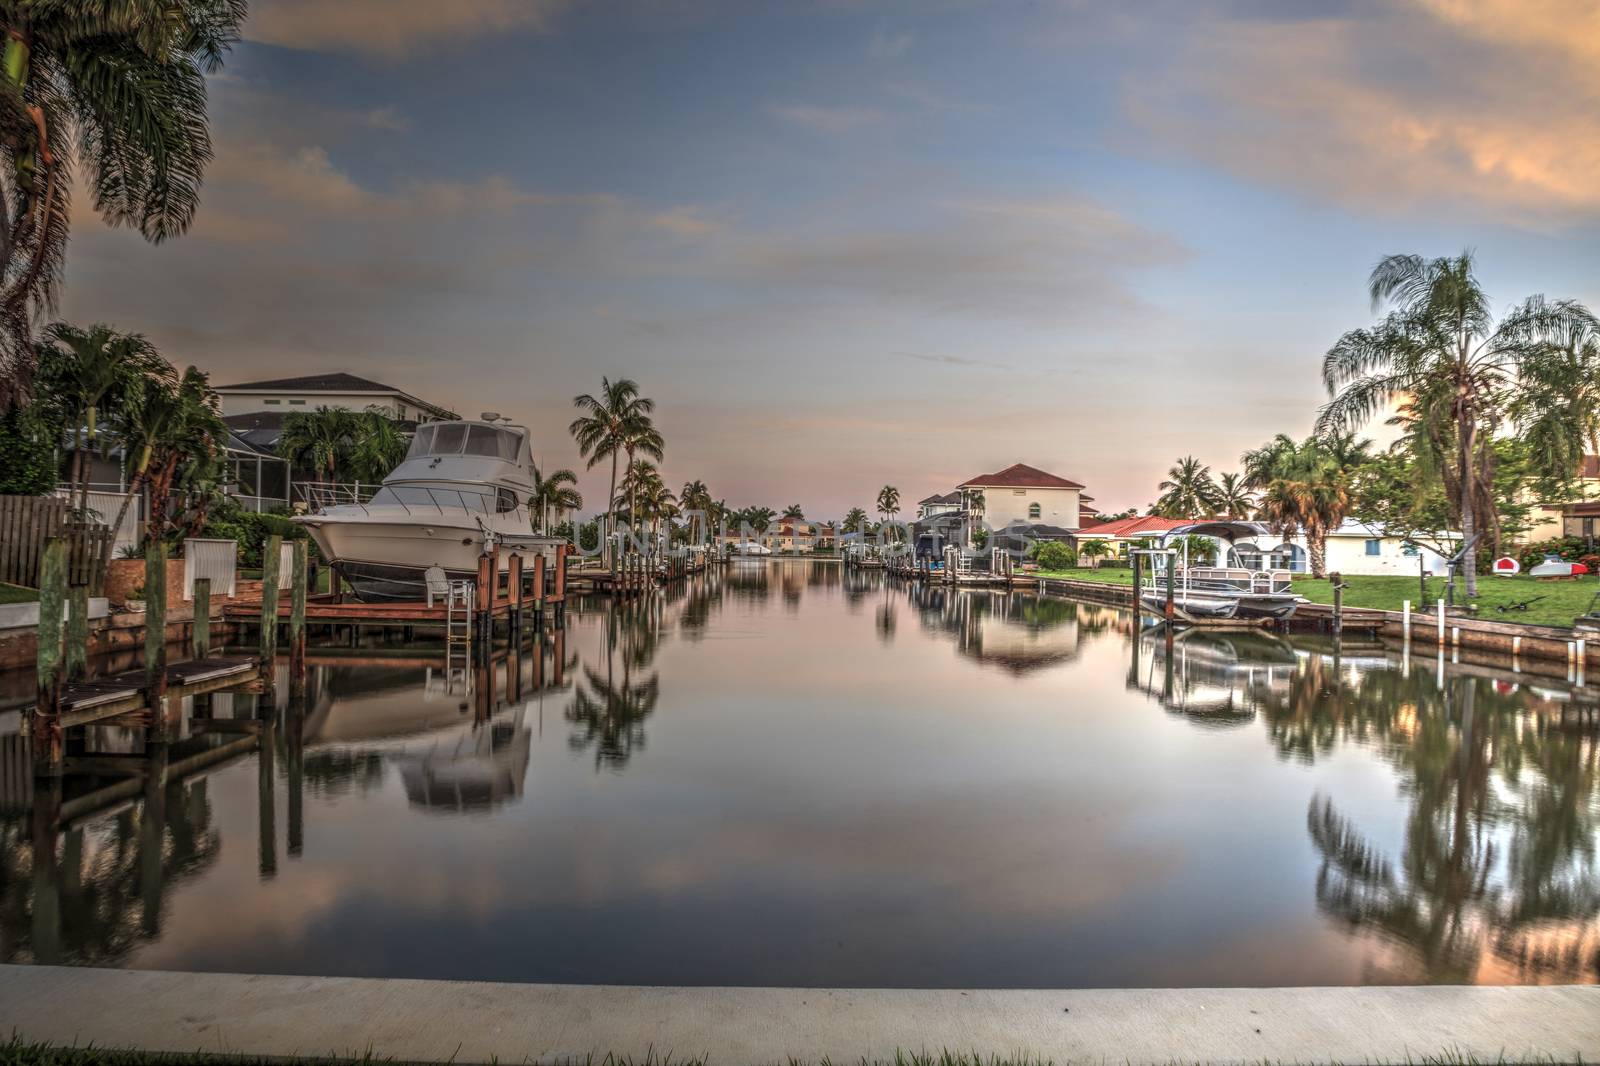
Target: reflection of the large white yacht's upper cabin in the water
[(478, 771)]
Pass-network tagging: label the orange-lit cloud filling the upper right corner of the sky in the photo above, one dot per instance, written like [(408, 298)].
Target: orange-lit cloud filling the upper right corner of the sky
[(1486, 105)]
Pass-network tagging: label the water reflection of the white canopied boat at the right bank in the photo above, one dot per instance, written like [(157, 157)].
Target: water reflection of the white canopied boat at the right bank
[(1215, 678)]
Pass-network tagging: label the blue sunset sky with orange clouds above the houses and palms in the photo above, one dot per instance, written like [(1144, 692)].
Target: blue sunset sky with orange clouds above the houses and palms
[(858, 242)]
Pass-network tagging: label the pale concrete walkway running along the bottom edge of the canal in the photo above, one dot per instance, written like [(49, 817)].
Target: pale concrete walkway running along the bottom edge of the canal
[(470, 1022)]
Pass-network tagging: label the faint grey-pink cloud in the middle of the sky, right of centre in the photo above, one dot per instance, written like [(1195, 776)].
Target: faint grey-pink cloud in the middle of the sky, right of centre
[(1039, 260)]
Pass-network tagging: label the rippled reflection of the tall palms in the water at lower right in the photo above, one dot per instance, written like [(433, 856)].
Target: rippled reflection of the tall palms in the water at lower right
[(1460, 889)]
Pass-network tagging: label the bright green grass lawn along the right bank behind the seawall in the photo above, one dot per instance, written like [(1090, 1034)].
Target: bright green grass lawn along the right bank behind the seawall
[(1550, 603)]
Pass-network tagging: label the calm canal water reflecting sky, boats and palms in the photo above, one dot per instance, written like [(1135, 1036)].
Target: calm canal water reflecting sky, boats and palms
[(790, 775)]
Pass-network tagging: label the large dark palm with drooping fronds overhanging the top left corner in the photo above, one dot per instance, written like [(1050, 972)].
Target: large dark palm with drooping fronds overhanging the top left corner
[(113, 94)]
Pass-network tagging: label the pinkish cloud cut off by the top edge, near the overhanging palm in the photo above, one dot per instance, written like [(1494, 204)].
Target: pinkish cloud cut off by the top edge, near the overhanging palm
[(393, 28)]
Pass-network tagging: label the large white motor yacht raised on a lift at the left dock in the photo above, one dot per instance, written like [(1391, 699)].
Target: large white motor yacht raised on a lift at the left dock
[(462, 489)]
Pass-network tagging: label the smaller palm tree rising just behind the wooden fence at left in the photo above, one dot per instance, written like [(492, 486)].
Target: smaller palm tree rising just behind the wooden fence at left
[(89, 374)]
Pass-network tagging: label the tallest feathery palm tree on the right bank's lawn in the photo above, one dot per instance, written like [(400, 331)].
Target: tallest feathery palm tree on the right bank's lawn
[(1441, 347)]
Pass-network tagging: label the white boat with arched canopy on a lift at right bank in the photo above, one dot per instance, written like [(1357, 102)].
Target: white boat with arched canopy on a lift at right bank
[(1239, 590)]
